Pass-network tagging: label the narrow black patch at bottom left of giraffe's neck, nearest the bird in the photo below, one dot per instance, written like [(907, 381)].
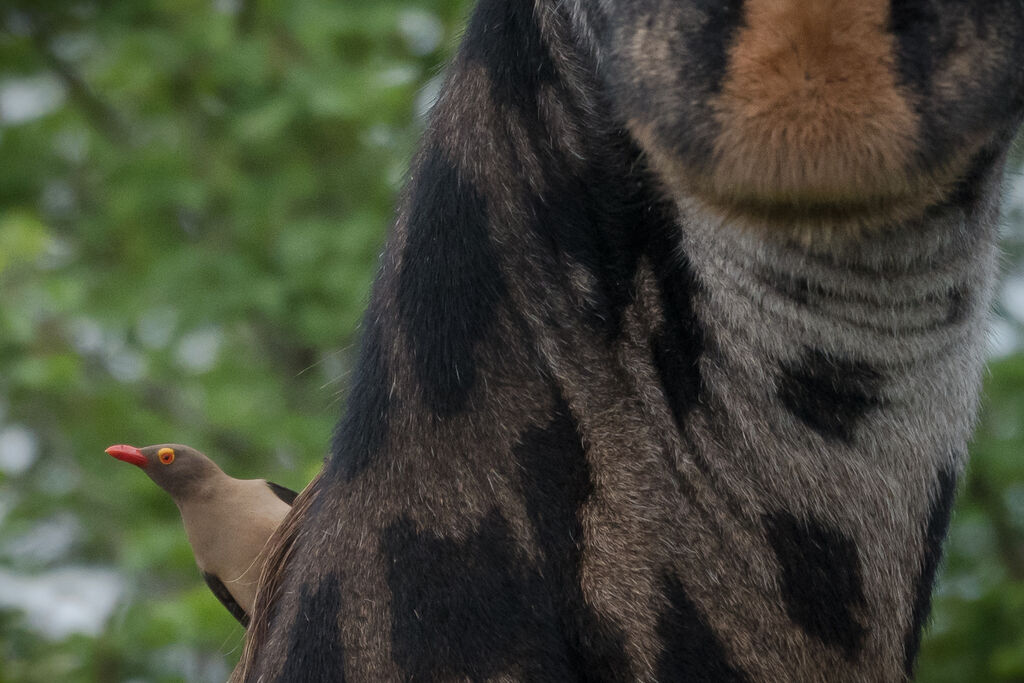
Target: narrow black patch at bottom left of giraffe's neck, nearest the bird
[(316, 655)]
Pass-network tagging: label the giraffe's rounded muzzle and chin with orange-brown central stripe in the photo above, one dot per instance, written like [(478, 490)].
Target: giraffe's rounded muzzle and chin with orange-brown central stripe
[(818, 112)]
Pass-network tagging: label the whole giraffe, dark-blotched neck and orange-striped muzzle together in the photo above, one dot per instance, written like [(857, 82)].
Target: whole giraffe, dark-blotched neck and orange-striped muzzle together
[(672, 360)]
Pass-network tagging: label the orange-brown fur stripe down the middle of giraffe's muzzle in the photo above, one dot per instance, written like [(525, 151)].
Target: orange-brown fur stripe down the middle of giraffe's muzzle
[(810, 110)]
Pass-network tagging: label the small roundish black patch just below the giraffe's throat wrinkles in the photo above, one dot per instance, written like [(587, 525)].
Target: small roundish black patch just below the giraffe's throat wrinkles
[(831, 396)]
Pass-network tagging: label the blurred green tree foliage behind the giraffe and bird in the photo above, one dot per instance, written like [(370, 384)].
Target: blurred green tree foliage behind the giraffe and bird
[(193, 197)]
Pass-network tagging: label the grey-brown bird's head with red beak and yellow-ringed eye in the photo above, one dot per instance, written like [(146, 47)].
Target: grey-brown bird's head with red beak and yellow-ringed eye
[(181, 471)]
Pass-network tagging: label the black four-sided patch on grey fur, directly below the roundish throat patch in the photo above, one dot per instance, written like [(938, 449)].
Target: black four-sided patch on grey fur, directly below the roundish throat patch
[(820, 574)]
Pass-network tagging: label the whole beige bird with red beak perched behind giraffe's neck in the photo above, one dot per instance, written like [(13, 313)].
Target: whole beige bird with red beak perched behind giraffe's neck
[(229, 522)]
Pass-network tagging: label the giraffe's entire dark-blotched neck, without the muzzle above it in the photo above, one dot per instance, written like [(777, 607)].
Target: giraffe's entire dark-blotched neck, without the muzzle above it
[(598, 430)]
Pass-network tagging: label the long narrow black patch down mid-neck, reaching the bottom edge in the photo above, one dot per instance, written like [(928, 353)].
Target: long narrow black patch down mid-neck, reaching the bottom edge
[(557, 483)]
